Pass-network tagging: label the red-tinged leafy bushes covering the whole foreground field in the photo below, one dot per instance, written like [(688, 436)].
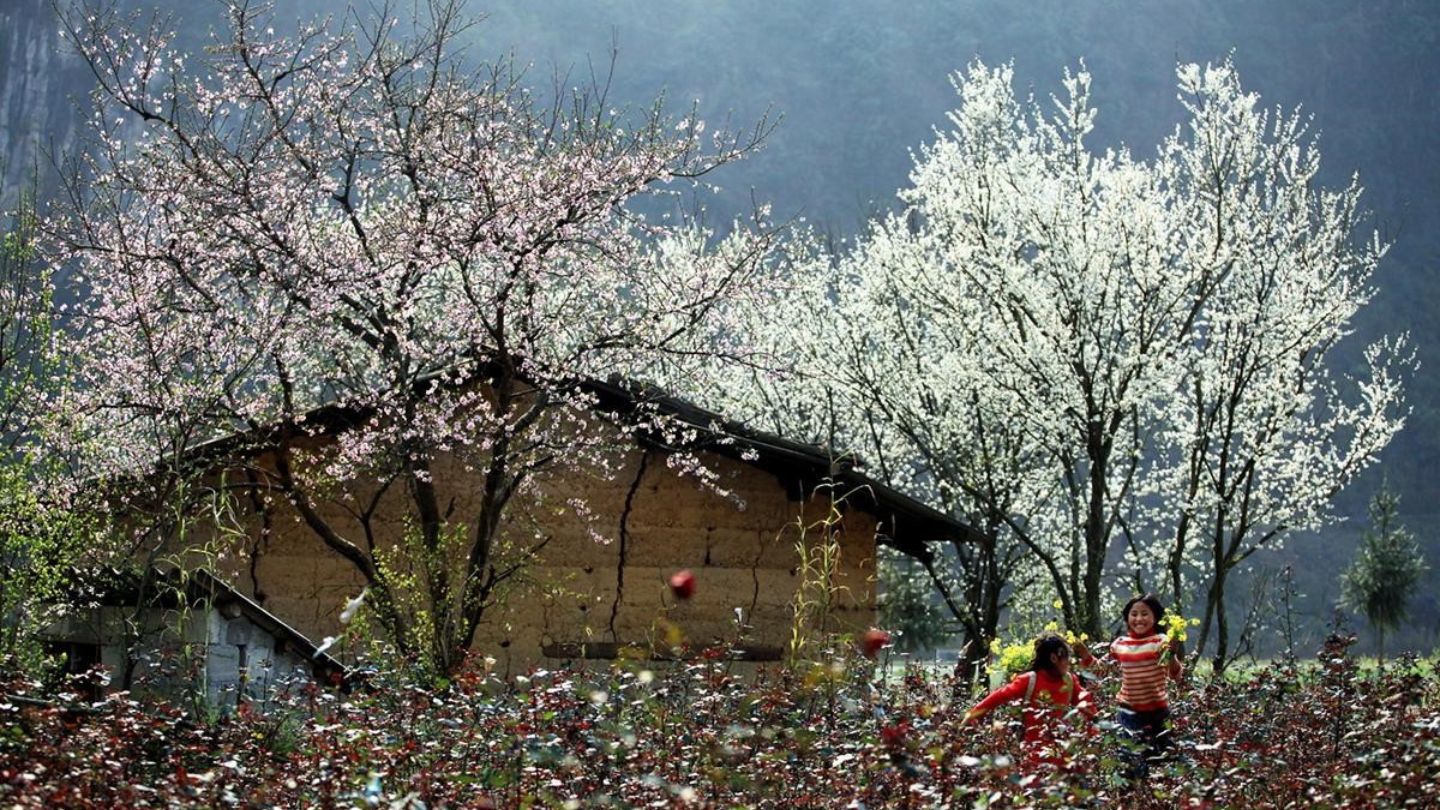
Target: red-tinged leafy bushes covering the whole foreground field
[(706, 734)]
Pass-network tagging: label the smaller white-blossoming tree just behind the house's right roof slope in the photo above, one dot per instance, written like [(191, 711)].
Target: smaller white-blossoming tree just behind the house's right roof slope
[(858, 370)]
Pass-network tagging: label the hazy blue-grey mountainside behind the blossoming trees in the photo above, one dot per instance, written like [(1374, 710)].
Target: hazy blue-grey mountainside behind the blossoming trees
[(862, 83)]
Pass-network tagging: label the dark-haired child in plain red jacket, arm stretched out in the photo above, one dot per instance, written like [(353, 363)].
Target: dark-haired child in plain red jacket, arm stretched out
[(1050, 693)]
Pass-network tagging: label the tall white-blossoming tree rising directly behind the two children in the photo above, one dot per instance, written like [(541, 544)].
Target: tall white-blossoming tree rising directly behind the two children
[(1000, 337)]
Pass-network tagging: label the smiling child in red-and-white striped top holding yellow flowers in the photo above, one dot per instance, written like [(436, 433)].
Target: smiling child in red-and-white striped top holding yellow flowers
[(1140, 655)]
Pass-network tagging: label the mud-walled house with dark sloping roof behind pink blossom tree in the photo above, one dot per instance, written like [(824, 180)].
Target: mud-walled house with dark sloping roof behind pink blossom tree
[(598, 589)]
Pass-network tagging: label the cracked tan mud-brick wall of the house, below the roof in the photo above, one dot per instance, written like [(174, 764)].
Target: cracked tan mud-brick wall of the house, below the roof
[(653, 522)]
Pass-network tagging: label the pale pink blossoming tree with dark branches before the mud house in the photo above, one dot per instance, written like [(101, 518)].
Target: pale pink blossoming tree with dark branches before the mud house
[(361, 220)]
